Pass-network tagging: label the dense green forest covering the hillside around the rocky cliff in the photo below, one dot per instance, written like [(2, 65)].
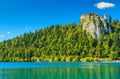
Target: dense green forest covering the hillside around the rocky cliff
[(62, 43)]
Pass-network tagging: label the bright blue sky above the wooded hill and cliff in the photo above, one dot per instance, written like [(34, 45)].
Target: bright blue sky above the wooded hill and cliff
[(20, 16)]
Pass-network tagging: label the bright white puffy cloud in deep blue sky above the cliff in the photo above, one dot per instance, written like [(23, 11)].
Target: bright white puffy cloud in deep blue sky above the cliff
[(103, 5)]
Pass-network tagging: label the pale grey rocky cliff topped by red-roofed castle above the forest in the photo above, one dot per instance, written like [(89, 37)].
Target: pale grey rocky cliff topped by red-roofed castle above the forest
[(96, 25)]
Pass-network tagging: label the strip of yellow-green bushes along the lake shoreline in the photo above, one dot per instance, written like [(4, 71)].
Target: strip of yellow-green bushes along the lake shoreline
[(65, 59)]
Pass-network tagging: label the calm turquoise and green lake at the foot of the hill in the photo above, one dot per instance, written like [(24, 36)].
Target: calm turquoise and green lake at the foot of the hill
[(60, 70)]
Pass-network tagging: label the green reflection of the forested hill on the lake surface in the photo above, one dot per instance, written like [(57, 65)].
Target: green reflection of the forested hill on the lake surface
[(96, 71)]
